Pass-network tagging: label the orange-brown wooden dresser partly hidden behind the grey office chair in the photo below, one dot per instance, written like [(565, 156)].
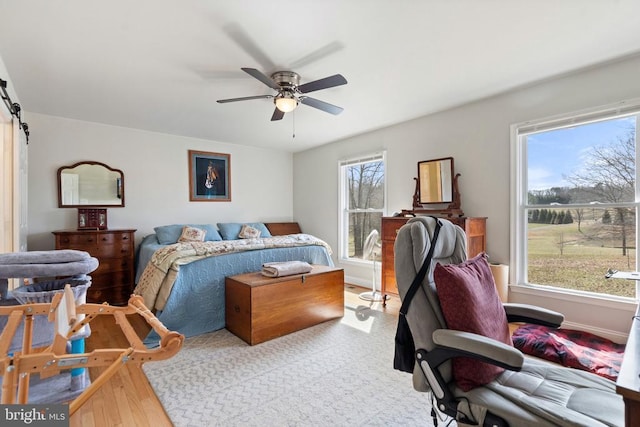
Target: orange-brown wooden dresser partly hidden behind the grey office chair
[(474, 228)]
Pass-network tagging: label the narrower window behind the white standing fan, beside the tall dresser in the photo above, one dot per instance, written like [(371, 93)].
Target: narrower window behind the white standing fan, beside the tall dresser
[(362, 203)]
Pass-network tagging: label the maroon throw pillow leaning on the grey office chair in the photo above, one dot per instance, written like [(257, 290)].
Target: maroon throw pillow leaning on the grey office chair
[(470, 303)]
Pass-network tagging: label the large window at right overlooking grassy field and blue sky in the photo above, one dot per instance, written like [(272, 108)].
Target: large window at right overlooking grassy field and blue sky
[(577, 201)]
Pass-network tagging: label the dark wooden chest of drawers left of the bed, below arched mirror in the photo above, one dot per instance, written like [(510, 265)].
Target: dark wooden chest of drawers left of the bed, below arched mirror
[(113, 280)]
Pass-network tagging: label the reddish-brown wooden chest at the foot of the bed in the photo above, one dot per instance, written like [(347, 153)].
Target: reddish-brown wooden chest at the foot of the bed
[(259, 308)]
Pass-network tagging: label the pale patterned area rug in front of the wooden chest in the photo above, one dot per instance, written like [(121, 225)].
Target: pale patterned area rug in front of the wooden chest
[(334, 374)]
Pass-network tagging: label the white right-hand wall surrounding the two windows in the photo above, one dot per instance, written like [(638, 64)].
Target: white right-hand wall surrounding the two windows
[(477, 136)]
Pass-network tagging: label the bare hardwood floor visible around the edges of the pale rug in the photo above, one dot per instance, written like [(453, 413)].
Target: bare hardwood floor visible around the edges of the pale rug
[(127, 399)]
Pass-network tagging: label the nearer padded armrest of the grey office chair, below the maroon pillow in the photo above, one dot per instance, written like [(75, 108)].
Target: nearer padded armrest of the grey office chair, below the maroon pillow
[(479, 347)]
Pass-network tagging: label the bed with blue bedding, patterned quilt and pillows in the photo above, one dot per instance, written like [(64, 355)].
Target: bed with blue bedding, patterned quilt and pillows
[(184, 282)]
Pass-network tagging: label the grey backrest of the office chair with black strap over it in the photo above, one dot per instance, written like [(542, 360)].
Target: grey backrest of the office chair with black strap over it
[(425, 315)]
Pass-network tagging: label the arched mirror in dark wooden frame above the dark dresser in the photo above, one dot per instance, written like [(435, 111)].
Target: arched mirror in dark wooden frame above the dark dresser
[(90, 184)]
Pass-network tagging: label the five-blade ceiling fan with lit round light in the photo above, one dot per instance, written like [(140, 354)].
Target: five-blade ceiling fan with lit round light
[(290, 92)]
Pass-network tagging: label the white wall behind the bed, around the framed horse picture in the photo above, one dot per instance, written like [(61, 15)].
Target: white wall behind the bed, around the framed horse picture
[(155, 170)]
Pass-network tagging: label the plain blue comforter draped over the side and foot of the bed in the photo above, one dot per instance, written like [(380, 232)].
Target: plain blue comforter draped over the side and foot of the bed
[(196, 304)]
